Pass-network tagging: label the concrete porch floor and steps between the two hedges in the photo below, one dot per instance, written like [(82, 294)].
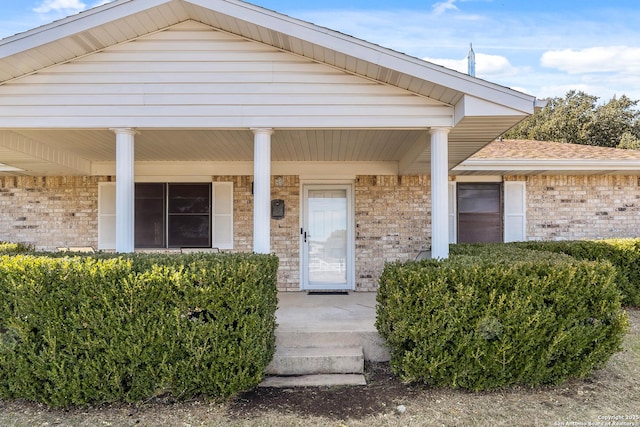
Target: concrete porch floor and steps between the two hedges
[(324, 339)]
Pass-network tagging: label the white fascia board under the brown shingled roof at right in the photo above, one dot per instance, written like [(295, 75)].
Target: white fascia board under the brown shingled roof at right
[(547, 165)]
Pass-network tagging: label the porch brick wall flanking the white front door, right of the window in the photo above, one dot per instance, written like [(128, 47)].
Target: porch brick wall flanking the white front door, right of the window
[(406, 200)]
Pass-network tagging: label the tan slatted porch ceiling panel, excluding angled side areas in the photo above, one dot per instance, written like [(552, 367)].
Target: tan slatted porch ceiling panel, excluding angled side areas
[(233, 145)]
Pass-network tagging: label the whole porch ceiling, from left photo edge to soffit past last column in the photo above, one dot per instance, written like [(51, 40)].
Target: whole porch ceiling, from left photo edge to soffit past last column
[(56, 152)]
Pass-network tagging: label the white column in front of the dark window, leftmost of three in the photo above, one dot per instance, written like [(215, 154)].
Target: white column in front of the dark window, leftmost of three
[(125, 189)]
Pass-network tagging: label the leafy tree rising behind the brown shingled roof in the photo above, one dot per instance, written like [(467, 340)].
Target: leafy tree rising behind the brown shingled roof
[(577, 118)]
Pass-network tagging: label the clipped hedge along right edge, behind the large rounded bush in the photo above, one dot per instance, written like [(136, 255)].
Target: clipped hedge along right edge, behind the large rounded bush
[(624, 254)]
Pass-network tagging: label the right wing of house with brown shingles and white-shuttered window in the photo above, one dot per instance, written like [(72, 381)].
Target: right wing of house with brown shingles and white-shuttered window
[(538, 190)]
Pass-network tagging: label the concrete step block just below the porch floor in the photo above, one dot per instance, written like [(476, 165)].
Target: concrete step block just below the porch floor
[(290, 361)]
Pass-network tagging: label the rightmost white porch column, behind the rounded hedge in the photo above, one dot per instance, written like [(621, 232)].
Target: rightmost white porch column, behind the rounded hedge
[(439, 193)]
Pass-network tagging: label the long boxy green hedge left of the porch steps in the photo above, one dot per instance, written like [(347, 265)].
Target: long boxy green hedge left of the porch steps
[(88, 330)]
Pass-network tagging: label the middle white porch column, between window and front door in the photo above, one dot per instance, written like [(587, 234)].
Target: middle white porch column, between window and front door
[(262, 190)]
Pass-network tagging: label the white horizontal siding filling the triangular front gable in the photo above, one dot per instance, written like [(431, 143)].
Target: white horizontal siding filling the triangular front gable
[(192, 75)]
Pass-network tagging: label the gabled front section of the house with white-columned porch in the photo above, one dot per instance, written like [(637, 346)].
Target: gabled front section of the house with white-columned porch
[(163, 124)]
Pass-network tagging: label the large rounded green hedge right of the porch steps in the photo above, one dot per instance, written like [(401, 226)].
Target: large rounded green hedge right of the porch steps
[(508, 317)]
